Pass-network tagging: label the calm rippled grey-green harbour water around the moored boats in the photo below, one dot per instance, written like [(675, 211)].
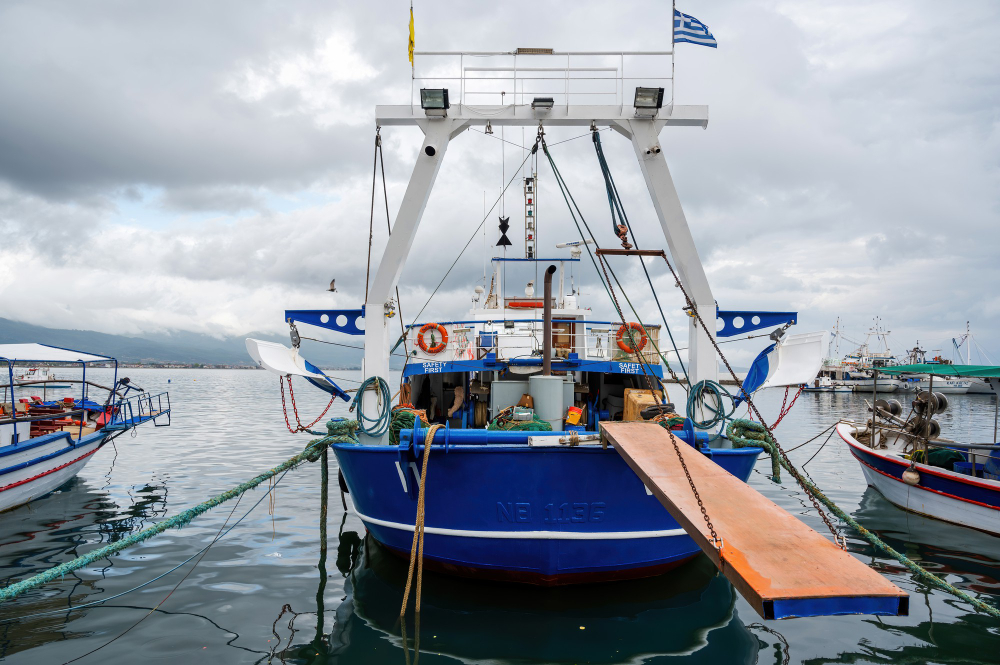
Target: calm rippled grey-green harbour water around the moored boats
[(263, 594)]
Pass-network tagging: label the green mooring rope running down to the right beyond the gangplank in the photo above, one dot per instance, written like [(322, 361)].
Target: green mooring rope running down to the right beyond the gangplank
[(745, 433)]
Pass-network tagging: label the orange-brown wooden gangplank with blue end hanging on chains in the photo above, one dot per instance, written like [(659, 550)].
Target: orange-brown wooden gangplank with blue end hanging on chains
[(781, 566)]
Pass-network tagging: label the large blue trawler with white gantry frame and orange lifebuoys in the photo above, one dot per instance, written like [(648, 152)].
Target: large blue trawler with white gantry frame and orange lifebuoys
[(543, 507)]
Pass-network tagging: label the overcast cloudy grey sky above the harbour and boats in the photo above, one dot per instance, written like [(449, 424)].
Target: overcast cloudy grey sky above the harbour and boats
[(202, 166)]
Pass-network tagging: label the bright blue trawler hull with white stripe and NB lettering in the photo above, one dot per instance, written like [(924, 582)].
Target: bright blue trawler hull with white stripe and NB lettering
[(542, 515)]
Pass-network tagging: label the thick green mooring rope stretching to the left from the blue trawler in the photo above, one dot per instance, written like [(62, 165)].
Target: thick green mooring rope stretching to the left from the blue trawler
[(339, 431)]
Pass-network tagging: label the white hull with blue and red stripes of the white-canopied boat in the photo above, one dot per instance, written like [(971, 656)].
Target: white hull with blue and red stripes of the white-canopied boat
[(58, 462)]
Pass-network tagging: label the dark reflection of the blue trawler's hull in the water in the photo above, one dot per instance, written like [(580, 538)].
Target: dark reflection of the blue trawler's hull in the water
[(688, 612)]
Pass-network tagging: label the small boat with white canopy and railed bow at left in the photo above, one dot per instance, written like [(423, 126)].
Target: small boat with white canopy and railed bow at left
[(43, 444)]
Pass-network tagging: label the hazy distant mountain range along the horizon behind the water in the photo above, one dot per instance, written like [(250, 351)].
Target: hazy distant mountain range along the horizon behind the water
[(174, 347)]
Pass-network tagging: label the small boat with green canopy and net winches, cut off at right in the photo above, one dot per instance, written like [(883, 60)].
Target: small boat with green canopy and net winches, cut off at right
[(911, 465)]
